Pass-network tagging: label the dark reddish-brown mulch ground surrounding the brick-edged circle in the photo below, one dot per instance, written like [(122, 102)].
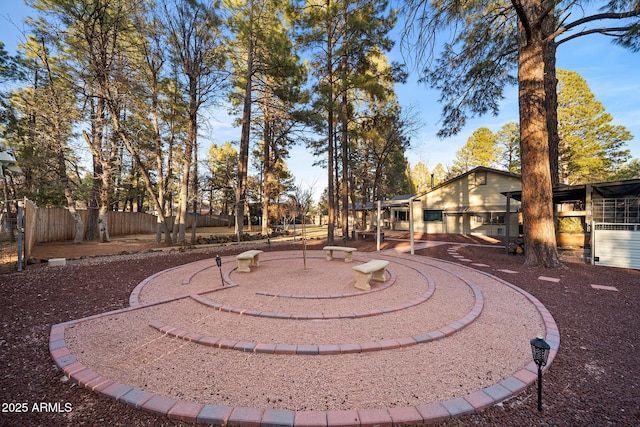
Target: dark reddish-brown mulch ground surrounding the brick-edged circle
[(594, 380)]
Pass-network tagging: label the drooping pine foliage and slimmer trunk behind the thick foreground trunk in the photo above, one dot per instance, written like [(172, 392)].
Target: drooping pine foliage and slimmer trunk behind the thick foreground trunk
[(476, 65)]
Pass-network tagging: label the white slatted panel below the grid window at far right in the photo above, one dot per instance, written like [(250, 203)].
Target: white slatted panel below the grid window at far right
[(616, 245)]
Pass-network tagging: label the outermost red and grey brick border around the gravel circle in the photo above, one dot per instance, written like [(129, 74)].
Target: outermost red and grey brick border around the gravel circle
[(226, 415)]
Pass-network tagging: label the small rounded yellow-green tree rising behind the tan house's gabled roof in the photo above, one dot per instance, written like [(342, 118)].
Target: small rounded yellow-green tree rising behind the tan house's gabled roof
[(480, 150)]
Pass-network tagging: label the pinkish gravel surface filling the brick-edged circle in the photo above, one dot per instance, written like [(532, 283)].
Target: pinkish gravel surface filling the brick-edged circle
[(123, 347)]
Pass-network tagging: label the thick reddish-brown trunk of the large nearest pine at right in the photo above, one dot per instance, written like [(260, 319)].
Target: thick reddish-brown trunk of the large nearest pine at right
[(537, 200)]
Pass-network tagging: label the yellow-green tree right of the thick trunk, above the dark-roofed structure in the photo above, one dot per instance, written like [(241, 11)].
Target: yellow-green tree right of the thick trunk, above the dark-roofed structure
[(591, 147)]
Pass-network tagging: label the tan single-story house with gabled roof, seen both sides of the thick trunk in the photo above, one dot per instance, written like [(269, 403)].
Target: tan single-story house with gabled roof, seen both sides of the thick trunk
[(599, 222)]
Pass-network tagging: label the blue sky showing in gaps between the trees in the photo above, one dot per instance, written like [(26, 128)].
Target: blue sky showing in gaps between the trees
[(611, 72)]
